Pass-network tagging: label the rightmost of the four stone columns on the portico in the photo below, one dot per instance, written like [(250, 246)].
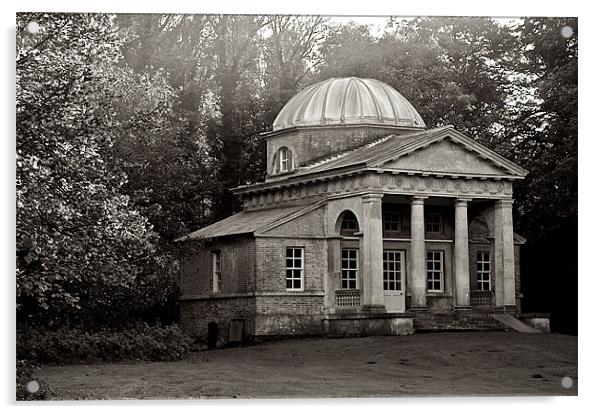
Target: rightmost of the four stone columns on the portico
[(505, 295)]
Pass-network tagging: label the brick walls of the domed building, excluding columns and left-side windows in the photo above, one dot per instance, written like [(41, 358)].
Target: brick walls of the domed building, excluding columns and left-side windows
[(254, 285)]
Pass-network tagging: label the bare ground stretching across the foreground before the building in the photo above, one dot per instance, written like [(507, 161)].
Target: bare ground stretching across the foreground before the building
[(474, 363)]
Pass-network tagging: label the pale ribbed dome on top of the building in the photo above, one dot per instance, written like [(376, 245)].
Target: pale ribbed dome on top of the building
[(348, 101)]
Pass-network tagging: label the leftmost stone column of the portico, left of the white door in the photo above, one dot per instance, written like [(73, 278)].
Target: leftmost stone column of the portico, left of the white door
[(373, 299)]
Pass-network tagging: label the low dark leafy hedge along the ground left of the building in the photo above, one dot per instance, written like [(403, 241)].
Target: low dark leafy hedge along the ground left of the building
[(140, 342)]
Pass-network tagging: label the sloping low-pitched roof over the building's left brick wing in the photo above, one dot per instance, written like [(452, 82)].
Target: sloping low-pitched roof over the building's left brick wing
[(242, 223)]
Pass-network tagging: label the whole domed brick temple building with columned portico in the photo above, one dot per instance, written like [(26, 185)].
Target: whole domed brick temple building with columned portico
[(367, 223)]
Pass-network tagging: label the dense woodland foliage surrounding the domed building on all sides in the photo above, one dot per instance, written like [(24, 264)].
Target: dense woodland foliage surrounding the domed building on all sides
[(132, 128)]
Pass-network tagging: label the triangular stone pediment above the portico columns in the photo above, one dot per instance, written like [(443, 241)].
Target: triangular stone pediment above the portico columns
[(447, 156)]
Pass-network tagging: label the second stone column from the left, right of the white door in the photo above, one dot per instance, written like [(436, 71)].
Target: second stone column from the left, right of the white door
[(418, 254)]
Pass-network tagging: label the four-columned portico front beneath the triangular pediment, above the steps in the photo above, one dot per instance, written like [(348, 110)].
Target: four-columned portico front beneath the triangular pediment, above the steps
[(378, 241)]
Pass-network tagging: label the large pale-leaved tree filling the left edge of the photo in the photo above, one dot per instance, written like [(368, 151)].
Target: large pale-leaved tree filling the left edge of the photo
[(77, 233)]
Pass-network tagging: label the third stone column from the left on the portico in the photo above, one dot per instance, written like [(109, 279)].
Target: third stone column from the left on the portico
[(461, 257)]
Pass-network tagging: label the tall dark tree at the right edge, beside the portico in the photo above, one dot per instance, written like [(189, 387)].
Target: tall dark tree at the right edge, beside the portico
[(544, 130)]
